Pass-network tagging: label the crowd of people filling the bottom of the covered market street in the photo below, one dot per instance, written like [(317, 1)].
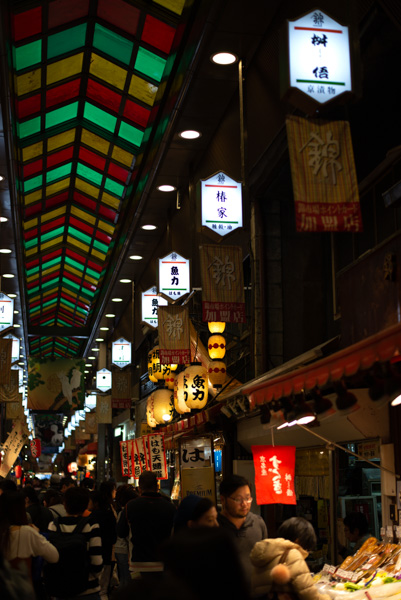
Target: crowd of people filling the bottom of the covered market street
[(77, 542)]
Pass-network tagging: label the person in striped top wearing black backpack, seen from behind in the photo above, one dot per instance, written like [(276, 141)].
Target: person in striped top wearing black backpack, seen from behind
[(78, 541)]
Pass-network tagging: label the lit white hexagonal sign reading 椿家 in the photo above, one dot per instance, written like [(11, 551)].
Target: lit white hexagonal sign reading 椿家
[(221, 199)]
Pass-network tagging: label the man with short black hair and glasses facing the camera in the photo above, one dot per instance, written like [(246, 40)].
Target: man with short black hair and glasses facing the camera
[(246, 527)]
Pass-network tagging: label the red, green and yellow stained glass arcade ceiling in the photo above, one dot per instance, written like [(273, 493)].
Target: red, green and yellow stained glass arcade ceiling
[(87, 81)]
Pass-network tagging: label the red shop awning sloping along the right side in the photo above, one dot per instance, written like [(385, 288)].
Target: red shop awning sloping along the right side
[(361, 356)]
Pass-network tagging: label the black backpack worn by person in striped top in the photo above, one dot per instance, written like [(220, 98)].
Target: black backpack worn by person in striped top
[(69, 576)]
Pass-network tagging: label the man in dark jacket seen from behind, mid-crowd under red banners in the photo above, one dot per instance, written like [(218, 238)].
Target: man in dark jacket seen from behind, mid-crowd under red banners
[(148, 520)]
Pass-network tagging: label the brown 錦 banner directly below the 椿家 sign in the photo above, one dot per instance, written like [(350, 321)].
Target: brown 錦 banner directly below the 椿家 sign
[(223, 296)]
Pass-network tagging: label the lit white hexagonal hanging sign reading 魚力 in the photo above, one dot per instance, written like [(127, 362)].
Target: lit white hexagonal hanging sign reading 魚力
[(174, 276)]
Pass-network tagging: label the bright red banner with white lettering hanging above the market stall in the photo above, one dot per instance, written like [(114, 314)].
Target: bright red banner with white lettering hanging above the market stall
[(274, 474)]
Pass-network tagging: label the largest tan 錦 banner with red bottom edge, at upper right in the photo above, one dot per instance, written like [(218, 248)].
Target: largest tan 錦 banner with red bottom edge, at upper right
[(323, 175)]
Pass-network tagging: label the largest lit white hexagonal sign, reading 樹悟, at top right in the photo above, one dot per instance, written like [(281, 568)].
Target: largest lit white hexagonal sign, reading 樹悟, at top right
[(319, 57)]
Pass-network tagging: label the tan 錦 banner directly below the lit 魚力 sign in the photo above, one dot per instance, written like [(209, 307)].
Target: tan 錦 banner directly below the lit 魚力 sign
[(174, 339)]
